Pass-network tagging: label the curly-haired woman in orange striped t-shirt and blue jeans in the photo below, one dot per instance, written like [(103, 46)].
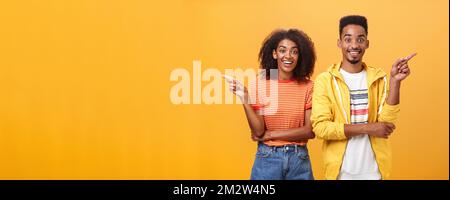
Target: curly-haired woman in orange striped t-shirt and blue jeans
[(283, 128)]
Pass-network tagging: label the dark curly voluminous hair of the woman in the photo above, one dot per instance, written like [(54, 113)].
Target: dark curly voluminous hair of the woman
[(307, 56)]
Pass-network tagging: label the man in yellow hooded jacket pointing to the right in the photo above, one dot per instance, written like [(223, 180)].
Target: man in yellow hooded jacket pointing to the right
[(355, 107)]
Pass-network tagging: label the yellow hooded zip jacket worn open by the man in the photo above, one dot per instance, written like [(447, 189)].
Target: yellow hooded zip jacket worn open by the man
[(331, 110)]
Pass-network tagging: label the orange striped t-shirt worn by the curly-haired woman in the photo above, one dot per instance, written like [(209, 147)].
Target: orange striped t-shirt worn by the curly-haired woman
[(285, 110)]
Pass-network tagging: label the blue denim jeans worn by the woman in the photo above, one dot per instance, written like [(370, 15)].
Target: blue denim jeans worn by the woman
[(289, 162)]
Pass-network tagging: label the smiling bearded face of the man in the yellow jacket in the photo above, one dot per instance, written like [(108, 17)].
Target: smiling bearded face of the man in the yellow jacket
[(353, 42)]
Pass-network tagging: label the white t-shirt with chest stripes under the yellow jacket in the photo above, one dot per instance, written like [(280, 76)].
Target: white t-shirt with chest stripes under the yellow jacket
[(359, 160)]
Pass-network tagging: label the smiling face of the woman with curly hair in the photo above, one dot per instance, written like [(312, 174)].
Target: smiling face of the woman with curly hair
[(286, 55)]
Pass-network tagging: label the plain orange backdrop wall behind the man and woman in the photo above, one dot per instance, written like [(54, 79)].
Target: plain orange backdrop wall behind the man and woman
[(85, 84)]
